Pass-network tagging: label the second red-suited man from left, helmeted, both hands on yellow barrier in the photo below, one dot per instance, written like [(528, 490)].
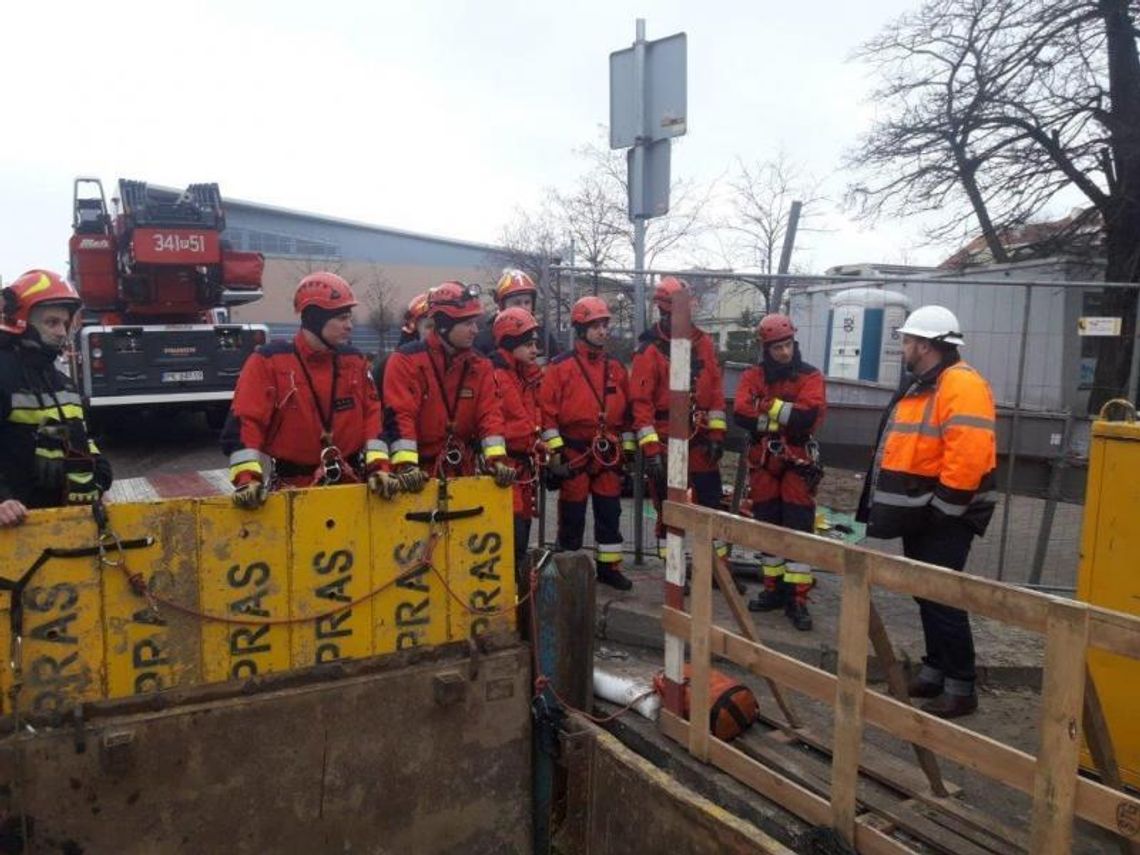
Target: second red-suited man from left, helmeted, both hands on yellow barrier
[(443, 409)]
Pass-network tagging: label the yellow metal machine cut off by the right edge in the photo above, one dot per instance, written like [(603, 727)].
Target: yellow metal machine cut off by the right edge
[(1110, 576)]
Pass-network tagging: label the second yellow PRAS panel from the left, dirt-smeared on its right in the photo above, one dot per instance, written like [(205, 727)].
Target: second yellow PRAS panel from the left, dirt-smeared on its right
[(153, 649)]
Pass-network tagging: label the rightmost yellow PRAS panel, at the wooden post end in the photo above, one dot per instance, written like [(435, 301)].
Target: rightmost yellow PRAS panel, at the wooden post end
[(481, 559)]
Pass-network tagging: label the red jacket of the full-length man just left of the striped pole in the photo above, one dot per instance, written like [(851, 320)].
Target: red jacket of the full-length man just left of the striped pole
[(584, 390)]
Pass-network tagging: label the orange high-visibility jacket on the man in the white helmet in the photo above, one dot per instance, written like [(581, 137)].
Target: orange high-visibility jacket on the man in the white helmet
[(938, 454)]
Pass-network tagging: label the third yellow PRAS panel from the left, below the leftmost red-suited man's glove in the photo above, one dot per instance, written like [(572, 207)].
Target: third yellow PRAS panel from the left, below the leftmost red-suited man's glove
[(243, 573)]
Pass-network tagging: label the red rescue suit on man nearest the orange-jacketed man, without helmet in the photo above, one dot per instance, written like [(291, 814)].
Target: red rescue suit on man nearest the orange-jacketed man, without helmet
[(781, 406)]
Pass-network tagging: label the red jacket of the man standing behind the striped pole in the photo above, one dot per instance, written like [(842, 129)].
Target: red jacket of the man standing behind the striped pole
[(649, 386)]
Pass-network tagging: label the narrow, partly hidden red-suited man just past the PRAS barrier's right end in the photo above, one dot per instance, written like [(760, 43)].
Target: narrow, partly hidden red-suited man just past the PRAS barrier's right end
[(516, 333)]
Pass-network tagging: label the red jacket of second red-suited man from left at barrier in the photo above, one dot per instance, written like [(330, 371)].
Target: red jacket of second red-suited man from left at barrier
[(442, 410)]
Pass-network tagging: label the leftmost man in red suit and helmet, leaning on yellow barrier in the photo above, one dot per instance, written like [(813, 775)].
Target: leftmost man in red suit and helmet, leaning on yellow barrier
[(306, 413)]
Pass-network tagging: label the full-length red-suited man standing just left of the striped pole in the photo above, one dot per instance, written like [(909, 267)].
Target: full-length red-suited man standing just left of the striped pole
[(587, 427)]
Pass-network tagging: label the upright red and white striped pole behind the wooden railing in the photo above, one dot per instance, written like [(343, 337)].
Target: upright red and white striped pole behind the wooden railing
[(680, 396)]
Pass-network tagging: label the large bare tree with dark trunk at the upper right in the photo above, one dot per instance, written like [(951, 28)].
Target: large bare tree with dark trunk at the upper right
[(994, 108)]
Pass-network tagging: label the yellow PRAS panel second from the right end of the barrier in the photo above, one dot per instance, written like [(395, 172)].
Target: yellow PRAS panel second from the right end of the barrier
[(412, 613)]
